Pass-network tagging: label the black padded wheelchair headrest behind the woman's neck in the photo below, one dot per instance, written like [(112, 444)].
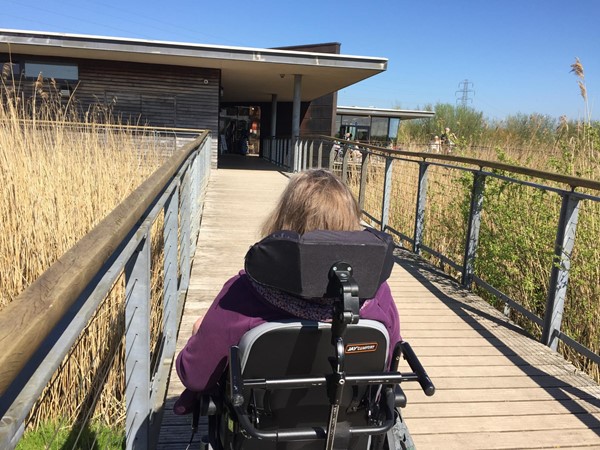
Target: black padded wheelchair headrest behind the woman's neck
[(300, 264)]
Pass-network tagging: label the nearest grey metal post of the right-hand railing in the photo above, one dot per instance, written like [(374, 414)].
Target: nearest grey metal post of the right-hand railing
[(559, 276)]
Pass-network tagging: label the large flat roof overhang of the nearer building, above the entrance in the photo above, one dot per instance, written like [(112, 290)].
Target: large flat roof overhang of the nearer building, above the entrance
[(247, 74)]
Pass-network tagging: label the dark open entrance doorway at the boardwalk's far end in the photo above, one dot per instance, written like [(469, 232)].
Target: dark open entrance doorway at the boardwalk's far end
[(239, 130)]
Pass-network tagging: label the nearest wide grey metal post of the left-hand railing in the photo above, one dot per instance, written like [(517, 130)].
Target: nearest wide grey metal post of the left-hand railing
[(137, 347)]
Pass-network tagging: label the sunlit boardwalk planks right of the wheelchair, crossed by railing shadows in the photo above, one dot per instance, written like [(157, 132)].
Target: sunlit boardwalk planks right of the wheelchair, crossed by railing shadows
[(497, 388)]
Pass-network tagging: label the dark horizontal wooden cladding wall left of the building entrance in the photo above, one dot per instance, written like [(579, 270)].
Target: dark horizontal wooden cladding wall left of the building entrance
[(141, 94)]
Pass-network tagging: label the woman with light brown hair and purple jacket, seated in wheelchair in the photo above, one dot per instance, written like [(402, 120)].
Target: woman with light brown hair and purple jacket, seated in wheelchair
[(313, 200)]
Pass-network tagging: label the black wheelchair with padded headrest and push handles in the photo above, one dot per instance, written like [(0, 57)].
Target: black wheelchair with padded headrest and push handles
[(312, 385)]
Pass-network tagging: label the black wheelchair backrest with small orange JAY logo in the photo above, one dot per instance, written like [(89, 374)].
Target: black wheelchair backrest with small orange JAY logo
[(285, 350)]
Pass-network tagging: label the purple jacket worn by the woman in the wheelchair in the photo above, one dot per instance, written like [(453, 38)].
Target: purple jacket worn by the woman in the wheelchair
[(237, 309)]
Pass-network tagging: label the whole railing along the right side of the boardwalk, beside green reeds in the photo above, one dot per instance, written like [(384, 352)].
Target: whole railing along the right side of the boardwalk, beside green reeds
[(358, 162)]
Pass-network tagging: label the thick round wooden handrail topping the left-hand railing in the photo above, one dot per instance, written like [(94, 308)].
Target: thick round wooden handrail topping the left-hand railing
[(29, 319)]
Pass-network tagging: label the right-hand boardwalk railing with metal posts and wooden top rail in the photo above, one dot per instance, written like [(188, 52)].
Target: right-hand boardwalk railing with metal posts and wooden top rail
[(338, 154)]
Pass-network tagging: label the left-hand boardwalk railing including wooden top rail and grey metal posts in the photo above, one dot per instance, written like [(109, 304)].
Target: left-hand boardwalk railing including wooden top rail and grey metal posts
[(38, 329)]
